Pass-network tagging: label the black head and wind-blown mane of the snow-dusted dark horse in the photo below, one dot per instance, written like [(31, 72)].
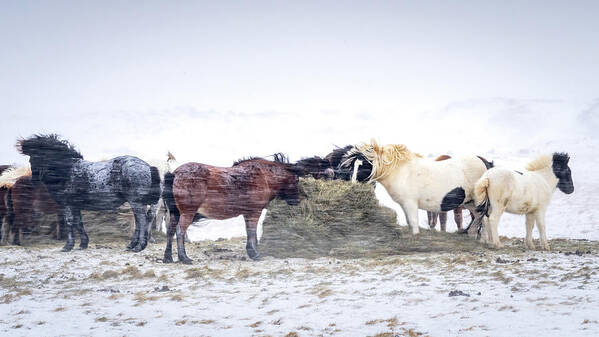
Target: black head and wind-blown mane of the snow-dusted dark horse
[(50, 157)]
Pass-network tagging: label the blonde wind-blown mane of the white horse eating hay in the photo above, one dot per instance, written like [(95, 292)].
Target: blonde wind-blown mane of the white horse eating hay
[(385, 158)]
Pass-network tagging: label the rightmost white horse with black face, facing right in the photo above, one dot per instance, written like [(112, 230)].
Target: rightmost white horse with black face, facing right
[(502, 190)]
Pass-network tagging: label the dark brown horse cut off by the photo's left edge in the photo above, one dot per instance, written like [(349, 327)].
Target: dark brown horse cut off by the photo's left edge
[(25, 201)]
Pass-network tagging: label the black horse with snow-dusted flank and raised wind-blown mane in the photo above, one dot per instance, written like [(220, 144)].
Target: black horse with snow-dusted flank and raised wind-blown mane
[(76, 184)]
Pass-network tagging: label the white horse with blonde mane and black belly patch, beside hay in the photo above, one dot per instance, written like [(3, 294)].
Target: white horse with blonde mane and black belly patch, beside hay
[(417, 183)]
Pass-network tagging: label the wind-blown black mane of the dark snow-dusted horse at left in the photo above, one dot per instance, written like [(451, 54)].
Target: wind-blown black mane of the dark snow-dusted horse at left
[(41, 144)]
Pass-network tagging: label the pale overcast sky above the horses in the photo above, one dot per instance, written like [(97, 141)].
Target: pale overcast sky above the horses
[(213, 81)]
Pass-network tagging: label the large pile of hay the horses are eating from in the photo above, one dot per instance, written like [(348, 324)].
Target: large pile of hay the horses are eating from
[(335, 218)]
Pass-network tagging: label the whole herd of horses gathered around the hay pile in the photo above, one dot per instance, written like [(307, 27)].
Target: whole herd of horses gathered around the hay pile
[(59, 181)]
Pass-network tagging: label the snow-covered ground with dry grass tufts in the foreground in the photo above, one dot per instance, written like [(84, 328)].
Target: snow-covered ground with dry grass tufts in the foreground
[(105, 291)]
